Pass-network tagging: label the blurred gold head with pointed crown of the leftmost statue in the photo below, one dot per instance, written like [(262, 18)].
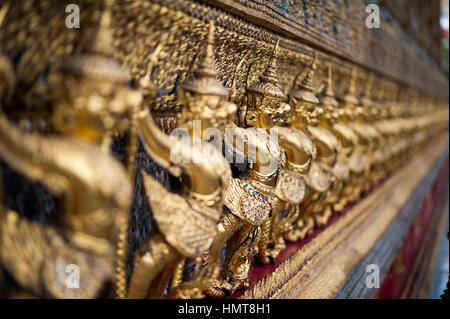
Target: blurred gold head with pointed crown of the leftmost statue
[(93, 72)]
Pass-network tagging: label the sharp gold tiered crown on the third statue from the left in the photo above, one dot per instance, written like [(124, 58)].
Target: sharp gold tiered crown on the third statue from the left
[(267, 84)]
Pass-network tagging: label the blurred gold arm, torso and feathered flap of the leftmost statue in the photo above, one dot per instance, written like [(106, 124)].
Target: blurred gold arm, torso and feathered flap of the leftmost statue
[(94, 202)]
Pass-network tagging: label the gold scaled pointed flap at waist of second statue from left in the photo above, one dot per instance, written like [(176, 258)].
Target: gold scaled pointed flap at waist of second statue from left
[(188, 227)]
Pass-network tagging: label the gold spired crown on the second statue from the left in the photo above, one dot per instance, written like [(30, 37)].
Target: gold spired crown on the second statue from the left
[(204, 80)]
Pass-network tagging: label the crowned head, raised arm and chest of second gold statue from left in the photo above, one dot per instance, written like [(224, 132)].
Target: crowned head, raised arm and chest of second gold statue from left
[(187, 157)]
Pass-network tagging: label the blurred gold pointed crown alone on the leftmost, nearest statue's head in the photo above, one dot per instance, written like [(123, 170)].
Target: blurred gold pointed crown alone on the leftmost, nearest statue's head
[(96, 60)]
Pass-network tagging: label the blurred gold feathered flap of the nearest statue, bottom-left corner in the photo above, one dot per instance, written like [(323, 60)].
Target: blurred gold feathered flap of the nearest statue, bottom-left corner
[(42, 260)]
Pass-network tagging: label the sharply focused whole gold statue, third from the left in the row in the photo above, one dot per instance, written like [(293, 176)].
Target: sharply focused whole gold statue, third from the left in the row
[(263, 159)]
